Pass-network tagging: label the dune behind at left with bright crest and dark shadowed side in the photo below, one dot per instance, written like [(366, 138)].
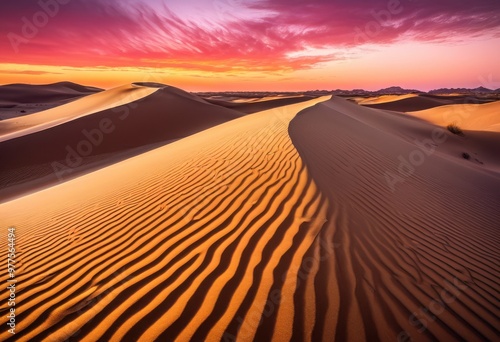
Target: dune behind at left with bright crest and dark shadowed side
[(91, 132)]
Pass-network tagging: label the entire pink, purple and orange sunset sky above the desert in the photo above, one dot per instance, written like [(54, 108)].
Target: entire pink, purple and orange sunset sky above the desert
[(252, 45)]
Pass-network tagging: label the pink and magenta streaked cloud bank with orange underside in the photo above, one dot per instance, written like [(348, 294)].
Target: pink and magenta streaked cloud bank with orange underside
[(131, 33)]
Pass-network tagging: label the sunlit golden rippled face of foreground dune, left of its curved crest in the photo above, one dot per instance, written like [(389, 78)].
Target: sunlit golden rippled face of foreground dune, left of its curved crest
[(183, 242)]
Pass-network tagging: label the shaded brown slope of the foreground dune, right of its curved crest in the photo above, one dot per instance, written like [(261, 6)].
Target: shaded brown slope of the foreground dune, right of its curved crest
[(417, 257)]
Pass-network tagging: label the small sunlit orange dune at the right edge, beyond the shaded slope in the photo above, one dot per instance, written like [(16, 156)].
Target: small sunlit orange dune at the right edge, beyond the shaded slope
[(476, 117)]
